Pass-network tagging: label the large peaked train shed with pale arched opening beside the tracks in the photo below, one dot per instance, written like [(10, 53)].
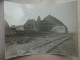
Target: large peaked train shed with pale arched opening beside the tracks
[(50, 23)]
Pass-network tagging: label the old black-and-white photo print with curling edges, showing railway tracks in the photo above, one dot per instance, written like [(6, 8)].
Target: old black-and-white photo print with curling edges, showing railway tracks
[(40, 29)]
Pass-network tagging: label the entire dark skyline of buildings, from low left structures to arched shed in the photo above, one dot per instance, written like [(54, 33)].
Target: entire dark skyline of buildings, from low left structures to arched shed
[(49, 23)]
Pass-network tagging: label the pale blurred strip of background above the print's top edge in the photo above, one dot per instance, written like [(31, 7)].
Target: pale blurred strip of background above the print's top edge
[(40, 1)]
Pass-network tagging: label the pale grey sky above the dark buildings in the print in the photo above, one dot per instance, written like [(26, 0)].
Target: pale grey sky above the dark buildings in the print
[(18, 14)]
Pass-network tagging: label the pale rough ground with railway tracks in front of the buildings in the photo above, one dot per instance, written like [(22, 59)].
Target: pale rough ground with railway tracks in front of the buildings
[(50, 43)]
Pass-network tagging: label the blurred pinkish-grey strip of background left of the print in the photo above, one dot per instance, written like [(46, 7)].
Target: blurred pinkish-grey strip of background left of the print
[(1, 31)]
